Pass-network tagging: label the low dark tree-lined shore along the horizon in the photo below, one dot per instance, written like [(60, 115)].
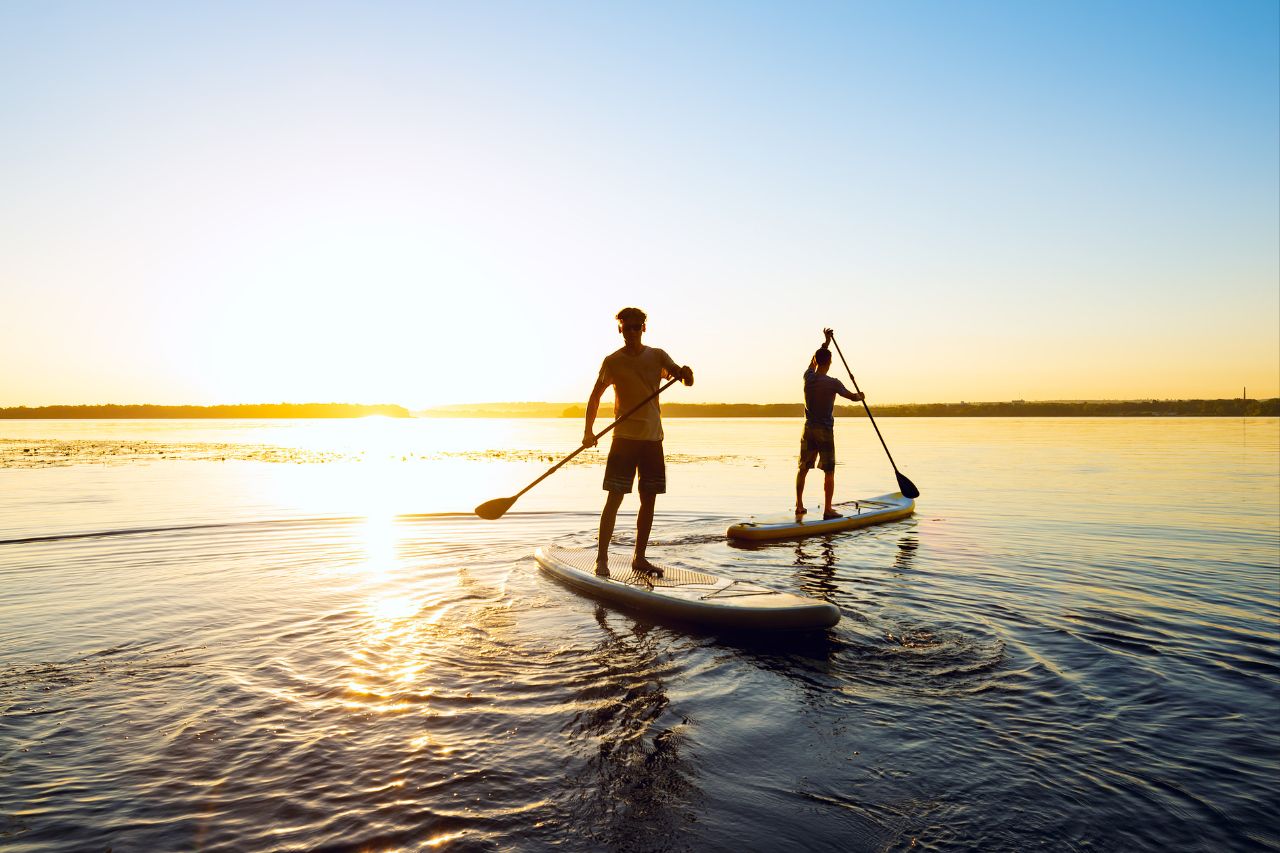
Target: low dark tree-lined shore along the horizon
[(1013, 409)]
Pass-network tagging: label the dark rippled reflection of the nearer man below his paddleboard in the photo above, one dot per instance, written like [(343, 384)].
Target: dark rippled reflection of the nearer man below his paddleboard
[(636, 788)]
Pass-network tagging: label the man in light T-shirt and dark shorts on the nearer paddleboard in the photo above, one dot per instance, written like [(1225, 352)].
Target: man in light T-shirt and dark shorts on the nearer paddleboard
[(636, 372)]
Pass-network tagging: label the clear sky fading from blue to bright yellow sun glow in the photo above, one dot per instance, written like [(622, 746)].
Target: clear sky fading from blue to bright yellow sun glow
[(431, 204)]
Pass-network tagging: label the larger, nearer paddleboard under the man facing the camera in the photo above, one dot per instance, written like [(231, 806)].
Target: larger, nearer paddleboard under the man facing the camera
[(685, 596)]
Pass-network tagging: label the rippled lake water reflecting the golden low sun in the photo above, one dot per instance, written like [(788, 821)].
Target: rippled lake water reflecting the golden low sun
[(294, 636)]
